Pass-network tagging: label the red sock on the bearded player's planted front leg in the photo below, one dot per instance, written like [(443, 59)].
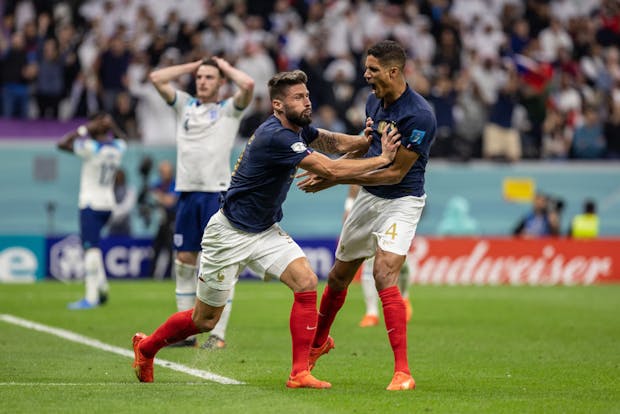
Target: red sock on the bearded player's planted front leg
[(303, 325)]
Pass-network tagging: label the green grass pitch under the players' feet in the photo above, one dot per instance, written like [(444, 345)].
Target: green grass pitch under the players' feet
[(472, 350)]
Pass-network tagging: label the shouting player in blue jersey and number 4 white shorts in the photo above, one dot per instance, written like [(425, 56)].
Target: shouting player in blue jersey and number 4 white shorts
[(385, 213)]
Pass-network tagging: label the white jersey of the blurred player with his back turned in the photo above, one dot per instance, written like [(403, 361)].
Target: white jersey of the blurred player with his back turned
[(100, 161)]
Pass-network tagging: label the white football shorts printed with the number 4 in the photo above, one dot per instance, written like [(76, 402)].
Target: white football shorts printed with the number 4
[(374, 221)]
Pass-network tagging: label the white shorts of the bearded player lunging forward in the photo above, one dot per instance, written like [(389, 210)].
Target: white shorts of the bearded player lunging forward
[(226, 251)]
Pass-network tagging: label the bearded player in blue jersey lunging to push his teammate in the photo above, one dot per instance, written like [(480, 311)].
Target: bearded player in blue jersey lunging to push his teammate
[(245, 231)]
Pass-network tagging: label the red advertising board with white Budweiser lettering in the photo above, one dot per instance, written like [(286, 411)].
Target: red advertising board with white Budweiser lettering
[(487, 261)]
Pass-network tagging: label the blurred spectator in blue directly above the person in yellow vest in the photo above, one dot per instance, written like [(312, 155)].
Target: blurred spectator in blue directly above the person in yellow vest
[(588, 140)]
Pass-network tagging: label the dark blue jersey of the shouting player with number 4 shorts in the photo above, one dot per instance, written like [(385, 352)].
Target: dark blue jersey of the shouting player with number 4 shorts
[(416, 123)]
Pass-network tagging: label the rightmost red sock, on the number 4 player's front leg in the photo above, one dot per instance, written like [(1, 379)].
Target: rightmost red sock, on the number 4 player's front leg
[(395, 317)]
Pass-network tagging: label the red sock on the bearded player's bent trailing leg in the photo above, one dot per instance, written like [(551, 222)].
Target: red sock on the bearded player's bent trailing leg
[(178, 327)]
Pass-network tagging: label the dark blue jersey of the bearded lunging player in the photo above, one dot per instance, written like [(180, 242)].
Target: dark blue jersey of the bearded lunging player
[(263, 175)]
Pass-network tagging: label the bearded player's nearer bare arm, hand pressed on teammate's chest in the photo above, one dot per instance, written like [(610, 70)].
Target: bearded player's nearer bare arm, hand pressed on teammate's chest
[(344, 168)]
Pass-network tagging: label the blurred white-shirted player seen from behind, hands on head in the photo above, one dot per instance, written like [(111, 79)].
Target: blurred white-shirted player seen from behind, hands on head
[(101, 155)]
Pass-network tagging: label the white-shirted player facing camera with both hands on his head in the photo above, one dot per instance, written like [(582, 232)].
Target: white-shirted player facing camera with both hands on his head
[(206, 130)]
